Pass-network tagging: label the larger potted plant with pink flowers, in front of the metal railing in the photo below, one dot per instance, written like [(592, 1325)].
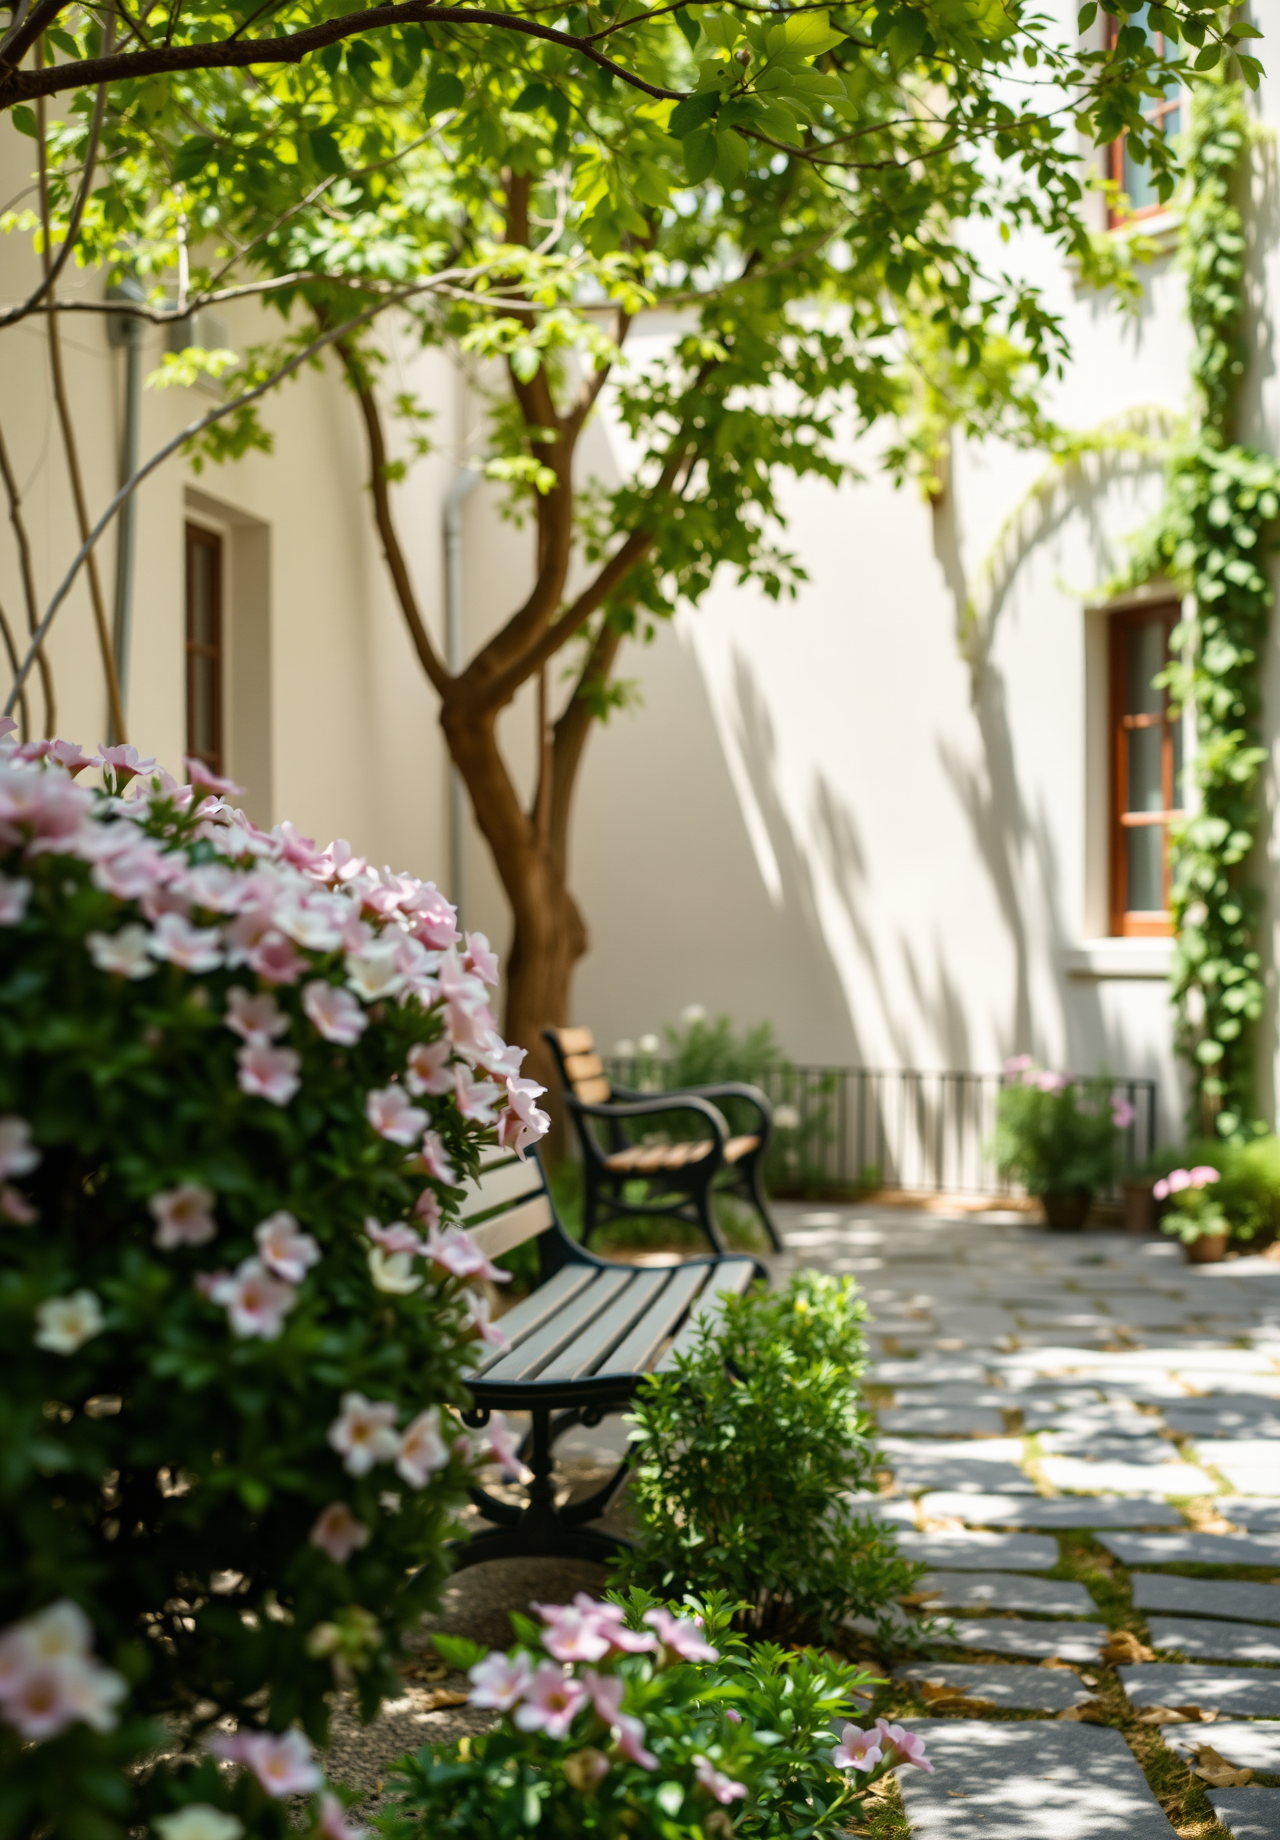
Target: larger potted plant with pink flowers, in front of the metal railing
[(1060, 1138)]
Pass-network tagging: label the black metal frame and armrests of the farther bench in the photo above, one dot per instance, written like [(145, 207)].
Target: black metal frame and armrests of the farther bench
[(691, 1186)]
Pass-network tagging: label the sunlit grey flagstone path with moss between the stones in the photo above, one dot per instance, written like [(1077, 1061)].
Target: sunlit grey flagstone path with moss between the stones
[(1082, 1442)]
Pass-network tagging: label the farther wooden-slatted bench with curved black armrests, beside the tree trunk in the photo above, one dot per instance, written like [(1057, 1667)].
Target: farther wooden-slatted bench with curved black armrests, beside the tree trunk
[(680, 1175)]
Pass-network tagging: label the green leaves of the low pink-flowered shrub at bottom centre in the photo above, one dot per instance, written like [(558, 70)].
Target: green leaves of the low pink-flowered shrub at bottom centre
[(760, 1718)]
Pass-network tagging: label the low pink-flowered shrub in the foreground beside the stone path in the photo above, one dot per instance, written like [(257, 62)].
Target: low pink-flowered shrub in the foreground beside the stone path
[(630, 1719)]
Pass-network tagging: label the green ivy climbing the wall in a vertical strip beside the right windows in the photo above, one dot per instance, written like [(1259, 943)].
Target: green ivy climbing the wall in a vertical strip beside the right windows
[(1209, 538)]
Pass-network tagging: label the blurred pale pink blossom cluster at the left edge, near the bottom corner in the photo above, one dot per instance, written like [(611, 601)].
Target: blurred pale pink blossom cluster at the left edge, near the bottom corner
[(49, 1675)]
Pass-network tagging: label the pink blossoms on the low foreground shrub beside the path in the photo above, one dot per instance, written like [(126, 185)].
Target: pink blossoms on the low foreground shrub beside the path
[(549, 1696)]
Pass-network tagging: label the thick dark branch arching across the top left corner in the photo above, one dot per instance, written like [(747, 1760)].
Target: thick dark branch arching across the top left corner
[(25, 86)]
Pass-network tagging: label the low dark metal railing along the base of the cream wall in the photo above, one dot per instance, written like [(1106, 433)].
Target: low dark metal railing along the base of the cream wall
[(895, 1127)]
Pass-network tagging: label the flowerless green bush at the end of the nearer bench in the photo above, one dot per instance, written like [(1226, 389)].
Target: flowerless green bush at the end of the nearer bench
[(748, 1460)]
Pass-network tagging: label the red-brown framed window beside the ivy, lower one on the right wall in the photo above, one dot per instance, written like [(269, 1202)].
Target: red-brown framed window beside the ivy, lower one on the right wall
[(1147, 772)]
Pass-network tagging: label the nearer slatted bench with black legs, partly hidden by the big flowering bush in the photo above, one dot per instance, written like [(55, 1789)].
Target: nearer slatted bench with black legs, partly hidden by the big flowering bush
[(580, 1344)]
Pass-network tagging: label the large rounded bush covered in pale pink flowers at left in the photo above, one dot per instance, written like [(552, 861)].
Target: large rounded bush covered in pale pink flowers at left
[(240, 1085)]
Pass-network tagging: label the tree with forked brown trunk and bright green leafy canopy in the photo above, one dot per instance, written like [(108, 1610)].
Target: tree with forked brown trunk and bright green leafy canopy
[(795, 187)]
